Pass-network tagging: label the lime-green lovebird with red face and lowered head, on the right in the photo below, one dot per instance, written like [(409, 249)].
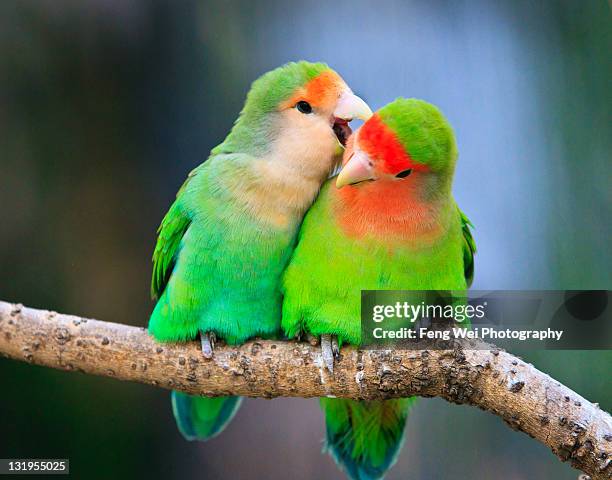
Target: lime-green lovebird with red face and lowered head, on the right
[(389, 223)]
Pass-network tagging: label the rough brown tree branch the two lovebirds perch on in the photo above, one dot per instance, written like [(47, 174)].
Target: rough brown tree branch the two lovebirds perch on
[(493, 380)]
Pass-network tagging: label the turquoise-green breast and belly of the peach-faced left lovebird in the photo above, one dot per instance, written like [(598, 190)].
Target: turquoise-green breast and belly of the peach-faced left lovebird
[(227, 268)]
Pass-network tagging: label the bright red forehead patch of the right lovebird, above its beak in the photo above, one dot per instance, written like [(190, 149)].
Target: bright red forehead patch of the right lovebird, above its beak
[(380, 142)]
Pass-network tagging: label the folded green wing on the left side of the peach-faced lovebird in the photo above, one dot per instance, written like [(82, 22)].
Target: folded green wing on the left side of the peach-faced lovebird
[(169, 237)]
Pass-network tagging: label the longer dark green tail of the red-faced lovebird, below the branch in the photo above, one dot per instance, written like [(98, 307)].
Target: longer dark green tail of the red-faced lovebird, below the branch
[(364, 438)]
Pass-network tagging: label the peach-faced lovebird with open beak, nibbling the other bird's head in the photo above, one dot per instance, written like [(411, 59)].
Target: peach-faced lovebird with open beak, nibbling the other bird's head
[(224, 243)]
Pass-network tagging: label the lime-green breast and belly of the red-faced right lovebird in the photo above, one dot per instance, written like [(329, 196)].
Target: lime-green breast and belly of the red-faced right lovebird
[(328, 270)]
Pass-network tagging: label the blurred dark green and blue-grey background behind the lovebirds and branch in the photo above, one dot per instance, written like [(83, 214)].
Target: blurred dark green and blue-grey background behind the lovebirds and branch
[(106, 105)]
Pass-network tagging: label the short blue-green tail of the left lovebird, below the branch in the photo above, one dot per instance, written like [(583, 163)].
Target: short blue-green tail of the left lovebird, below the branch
[(202, 418)]
